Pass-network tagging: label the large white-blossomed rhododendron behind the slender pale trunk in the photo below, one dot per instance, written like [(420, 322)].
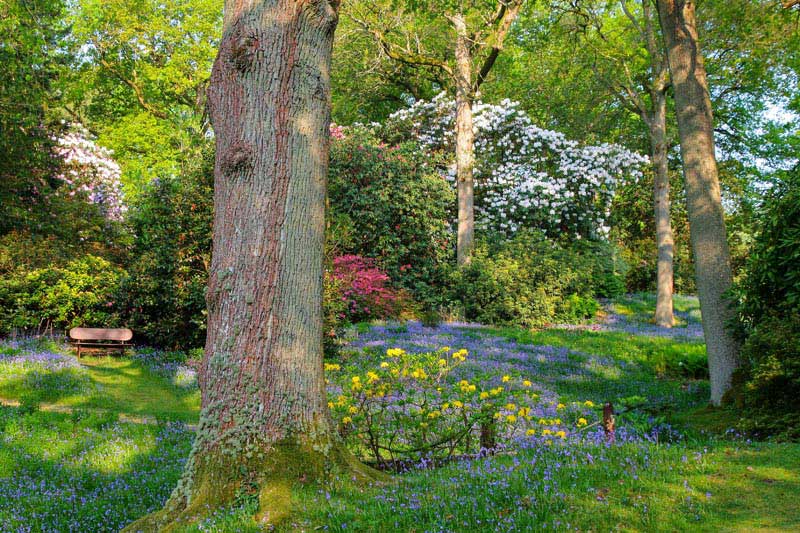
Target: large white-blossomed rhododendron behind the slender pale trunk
[(525, 176)]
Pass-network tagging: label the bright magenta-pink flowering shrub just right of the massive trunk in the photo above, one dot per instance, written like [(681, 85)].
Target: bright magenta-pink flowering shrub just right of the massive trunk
[(364, 288)]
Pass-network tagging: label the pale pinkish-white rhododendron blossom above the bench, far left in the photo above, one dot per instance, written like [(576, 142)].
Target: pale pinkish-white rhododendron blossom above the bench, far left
[(90, 169)]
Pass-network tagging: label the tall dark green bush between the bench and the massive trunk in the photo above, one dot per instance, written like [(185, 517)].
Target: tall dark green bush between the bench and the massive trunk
[(163, 296)]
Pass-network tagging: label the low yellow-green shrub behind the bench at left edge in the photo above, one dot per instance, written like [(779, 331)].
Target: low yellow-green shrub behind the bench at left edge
[(78, 294)]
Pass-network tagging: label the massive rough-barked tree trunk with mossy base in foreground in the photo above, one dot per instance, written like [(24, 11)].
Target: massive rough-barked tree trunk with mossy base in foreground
[(264, 423)]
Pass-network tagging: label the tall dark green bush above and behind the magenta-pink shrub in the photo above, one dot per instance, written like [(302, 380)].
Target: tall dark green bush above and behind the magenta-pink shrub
[(389, 203)]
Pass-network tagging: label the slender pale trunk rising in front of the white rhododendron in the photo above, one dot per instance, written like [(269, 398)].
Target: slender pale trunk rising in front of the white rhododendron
[(465, 140)]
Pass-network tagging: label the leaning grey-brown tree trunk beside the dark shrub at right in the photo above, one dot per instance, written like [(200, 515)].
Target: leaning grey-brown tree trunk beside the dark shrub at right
[(706, 216)]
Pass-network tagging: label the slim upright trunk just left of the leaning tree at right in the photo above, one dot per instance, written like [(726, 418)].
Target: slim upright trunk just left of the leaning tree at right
[(664, 241)]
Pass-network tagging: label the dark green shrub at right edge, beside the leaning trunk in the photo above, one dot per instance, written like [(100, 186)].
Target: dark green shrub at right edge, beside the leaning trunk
[(768, 383)]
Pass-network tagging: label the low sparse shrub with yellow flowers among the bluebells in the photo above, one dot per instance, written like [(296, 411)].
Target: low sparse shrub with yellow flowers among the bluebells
[(404, 406)]
